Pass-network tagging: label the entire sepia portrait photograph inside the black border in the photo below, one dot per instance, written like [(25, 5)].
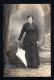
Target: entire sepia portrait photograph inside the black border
[(27, 40)]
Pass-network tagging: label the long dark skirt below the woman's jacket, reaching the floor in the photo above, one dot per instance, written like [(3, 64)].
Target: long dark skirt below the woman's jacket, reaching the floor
[(32, 56)]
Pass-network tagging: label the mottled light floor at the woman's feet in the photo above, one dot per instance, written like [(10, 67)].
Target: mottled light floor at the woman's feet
[(44, 70)]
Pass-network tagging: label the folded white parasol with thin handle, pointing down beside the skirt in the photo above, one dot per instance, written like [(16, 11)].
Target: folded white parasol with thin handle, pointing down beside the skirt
[(21, 55)]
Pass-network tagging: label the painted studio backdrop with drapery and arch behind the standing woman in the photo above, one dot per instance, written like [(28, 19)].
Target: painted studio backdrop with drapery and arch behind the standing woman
[(14, 16)]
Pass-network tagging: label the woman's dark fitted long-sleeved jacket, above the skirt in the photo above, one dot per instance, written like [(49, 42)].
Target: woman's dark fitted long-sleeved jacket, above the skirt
[(32, 34)]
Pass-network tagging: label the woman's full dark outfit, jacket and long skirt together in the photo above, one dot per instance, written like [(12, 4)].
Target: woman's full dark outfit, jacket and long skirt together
[(30, 44)]
